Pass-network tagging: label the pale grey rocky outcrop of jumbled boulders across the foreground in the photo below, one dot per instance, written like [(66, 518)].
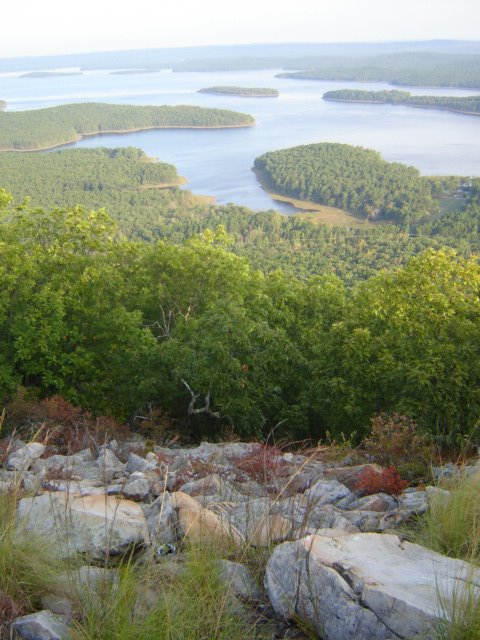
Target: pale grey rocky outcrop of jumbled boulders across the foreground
[(332, 565)]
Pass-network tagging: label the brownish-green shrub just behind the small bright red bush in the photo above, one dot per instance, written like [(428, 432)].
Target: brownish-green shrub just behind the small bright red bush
[(395, 440)]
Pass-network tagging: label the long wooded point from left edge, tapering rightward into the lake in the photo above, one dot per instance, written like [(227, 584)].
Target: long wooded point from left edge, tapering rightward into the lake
[(46, 128)]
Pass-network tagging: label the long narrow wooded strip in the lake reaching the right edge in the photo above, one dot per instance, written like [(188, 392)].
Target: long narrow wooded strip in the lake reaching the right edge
[(467, 105)]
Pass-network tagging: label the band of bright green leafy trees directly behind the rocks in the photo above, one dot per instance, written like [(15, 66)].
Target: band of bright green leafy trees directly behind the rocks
[(115, 326)]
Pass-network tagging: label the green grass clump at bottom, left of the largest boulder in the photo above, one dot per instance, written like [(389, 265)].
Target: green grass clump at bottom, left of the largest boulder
[(171, 600)]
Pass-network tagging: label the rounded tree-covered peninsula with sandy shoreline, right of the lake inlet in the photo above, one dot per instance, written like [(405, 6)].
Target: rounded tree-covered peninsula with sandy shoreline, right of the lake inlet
[(348, 177)]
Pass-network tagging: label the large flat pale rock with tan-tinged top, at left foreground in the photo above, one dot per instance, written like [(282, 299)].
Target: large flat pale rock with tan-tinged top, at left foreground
[(97, 525)]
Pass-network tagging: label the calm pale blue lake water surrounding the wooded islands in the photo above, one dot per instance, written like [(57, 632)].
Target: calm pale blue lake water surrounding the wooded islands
[(219, 162)]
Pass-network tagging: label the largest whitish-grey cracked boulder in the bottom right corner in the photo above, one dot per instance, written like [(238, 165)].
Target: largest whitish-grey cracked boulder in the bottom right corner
[(366, 586)]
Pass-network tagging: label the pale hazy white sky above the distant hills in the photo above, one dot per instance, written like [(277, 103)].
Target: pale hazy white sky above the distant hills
[(36, 27)]
